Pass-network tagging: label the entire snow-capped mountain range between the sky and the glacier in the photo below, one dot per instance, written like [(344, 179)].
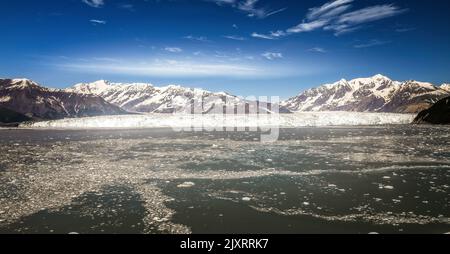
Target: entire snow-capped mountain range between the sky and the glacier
[(28, 100)]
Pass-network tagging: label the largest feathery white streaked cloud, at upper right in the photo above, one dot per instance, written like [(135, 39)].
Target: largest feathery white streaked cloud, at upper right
[(336, 16)]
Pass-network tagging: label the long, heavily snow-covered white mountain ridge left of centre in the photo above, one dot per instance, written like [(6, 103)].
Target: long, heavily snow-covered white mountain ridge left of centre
[(146, 98)]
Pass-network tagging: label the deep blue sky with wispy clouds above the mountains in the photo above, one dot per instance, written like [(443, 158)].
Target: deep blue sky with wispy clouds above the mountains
[(245, 47)]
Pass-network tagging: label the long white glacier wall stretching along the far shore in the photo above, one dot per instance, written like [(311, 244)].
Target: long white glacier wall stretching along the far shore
[(215, 121)]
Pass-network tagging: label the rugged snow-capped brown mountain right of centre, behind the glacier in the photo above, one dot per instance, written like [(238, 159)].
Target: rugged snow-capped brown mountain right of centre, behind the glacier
[(374, 94)]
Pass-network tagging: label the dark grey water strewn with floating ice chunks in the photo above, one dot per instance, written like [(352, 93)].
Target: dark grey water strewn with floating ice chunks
[(314, 180)]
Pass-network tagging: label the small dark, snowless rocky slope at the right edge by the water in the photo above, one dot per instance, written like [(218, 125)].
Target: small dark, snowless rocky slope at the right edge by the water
[(439, 113)]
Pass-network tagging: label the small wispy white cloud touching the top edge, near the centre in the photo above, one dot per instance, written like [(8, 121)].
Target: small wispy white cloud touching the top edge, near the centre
[(251, 7)]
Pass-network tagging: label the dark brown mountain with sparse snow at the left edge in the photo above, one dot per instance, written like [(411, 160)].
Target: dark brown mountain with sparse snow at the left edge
[(26, 97)]
